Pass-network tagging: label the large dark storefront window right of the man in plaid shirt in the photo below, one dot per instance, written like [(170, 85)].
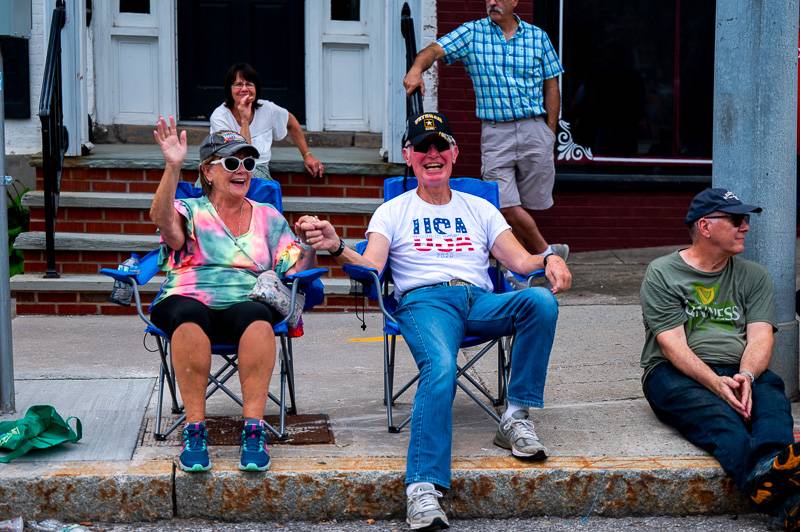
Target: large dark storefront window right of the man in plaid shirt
[(639, 77)]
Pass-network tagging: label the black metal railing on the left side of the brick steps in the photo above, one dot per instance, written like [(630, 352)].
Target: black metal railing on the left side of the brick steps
[(54, 134)]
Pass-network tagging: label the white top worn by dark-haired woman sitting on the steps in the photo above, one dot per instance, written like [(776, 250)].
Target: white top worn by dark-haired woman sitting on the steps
[(269, 123)]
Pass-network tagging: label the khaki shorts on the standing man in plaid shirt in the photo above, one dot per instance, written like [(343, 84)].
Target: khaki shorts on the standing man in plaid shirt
[(518, 155)]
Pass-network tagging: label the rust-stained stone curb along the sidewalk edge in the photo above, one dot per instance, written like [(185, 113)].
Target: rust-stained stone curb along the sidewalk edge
[(360, 488)]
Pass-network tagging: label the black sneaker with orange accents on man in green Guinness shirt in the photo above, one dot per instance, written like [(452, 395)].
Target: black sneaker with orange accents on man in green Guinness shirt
[(772, 478)]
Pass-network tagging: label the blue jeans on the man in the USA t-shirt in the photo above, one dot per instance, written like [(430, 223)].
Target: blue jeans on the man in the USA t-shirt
[(433, 321)]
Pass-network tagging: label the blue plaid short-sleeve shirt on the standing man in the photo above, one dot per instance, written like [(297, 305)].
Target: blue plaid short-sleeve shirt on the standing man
[(508, 76)]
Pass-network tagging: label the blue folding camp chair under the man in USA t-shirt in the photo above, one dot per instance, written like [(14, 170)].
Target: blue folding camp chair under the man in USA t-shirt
[(377, 288)]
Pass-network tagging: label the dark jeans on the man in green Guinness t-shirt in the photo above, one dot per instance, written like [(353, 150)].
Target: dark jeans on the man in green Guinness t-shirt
[(710, 423)]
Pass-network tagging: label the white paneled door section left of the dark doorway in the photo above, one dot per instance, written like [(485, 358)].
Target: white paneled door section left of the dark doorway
[(134, 50)]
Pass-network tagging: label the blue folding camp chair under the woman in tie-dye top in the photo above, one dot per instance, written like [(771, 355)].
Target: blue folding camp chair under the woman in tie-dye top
[(308, 282)]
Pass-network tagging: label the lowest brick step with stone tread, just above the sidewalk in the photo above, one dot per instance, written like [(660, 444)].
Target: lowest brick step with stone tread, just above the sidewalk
[(85, 294)]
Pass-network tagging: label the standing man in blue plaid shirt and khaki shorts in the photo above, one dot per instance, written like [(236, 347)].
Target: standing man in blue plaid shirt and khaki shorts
[(514, 71)]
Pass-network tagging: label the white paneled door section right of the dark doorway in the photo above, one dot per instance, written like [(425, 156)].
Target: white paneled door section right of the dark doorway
[(344, 71)]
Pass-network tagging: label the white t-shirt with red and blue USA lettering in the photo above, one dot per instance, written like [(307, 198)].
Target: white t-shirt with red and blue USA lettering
[(431, 244)]
